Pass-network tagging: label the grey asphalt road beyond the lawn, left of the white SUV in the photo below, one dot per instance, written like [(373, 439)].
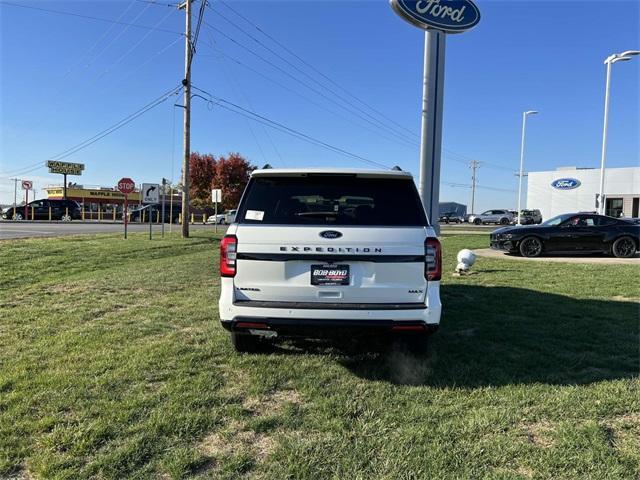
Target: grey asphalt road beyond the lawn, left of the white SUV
[(9, 229)]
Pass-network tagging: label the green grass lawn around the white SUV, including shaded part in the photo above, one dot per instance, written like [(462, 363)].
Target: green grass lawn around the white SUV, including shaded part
[(113, 365)]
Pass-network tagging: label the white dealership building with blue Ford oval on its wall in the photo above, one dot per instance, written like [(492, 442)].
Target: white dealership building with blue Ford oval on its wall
[(574, 189)]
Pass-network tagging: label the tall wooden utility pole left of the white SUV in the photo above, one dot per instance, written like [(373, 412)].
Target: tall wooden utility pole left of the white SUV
[(186, 82)]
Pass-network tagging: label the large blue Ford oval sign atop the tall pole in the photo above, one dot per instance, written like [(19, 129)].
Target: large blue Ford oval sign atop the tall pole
[(451, 16)]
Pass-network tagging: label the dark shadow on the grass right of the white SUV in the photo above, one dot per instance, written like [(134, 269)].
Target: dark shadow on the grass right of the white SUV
[(492, 336)]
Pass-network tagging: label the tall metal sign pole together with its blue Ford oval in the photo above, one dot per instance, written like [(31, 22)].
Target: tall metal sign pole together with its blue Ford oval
[(437, 18)]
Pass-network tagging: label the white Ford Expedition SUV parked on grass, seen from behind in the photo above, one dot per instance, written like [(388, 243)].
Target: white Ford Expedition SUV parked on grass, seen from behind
[(315, 253)]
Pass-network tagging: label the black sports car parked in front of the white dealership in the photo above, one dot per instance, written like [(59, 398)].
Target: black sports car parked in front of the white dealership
[(571, 233)]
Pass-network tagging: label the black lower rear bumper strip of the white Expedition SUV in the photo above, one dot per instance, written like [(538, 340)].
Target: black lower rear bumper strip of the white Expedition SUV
[(305, 327)]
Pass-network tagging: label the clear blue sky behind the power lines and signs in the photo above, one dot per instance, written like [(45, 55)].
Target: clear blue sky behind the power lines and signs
[(66, 78)]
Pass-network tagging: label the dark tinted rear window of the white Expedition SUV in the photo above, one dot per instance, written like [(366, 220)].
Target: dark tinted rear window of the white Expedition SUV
[(332, 200)]
